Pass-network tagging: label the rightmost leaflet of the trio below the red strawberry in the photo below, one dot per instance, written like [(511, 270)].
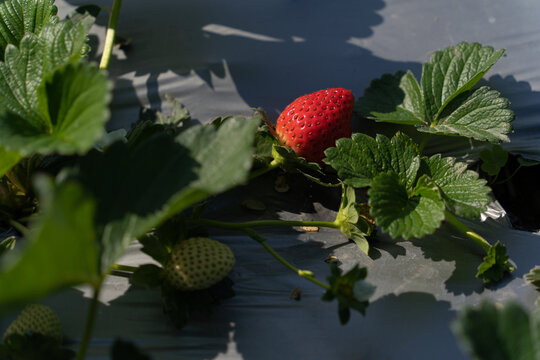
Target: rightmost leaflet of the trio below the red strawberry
[(463, 192)]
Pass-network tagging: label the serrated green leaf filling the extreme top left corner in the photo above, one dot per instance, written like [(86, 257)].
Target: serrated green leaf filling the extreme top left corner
[(20, 17)]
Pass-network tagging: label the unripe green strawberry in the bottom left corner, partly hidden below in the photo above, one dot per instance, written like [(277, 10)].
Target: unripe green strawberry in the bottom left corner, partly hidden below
[(36, 318)]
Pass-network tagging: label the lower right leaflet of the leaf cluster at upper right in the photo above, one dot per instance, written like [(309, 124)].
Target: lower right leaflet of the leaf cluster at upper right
[(481, 114)]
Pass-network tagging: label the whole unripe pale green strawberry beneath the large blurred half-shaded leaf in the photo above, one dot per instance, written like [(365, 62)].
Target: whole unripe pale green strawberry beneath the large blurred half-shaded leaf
[(198, 263)]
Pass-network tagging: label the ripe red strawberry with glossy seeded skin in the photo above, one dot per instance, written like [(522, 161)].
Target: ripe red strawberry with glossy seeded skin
[(312, 123)]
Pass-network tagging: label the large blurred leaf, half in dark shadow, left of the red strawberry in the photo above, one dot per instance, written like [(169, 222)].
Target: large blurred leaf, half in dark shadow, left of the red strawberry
[(139, 187)]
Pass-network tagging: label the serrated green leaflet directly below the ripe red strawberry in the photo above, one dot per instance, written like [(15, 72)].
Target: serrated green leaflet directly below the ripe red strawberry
[(361, 158)]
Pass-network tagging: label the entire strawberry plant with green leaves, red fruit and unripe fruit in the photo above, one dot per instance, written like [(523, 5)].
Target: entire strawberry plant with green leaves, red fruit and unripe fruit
[(79, 196)]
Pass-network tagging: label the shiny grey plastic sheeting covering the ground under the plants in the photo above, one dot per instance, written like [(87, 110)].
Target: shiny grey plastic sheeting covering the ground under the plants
[(222, 58)]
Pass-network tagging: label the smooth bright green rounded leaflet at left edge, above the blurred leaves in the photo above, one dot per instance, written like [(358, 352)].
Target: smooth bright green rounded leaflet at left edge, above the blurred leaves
[(69, 116)]
